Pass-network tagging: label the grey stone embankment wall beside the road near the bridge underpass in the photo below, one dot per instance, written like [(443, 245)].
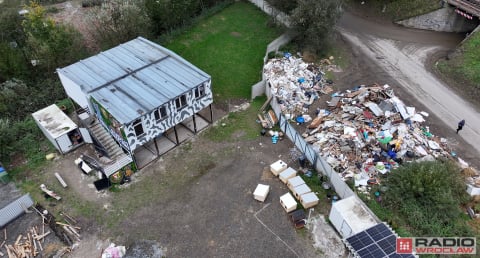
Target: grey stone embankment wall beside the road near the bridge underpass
[(444, 19)]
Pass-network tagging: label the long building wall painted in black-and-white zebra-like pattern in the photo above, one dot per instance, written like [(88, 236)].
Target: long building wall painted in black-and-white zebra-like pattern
[(153, 128)]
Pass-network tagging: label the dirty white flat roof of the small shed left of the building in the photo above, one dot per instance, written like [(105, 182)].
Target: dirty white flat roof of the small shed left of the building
[(55, 122)]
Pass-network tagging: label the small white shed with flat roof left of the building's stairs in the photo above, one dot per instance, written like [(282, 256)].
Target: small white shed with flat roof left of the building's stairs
[(60, 130)]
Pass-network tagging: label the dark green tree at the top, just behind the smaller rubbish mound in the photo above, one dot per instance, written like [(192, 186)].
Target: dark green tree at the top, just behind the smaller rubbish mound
[(315, 22)]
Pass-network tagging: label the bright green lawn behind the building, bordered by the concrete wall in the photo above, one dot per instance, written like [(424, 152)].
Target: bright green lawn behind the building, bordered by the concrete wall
[(229, 46)]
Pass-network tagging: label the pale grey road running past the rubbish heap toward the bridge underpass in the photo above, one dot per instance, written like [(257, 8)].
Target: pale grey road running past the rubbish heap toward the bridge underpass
[(402, 53)]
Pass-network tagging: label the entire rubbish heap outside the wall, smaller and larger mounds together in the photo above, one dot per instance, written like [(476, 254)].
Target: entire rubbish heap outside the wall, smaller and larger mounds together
[(362, 132)]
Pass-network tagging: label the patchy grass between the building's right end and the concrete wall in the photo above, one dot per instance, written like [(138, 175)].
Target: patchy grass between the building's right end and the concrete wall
[(240, 125)]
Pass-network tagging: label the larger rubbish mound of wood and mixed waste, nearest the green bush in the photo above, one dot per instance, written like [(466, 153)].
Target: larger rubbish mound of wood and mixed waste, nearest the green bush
[(368, 131)]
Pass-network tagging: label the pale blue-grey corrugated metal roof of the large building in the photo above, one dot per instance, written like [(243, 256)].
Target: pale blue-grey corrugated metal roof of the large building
[(134, 78)]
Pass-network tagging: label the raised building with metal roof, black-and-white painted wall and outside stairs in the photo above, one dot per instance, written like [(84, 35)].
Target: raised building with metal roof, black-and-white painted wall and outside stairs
[(146, 97)]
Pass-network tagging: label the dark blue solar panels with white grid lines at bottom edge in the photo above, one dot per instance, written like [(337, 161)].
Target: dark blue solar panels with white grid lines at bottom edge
[(375, 242)]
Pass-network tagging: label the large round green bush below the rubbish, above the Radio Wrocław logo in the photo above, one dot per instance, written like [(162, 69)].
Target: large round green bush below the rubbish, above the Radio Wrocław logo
[(429, 196)]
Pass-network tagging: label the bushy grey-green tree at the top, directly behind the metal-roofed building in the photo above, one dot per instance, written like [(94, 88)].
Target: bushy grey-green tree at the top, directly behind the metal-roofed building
[(118, 21)]
